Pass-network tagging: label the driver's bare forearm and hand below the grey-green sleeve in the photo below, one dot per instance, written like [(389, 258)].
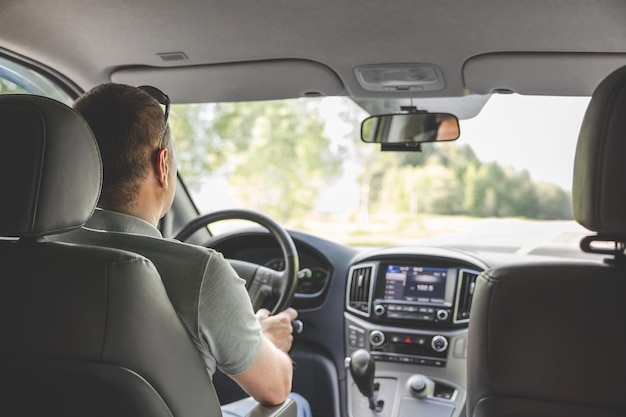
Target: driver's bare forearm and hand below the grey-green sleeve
[(268, 379)]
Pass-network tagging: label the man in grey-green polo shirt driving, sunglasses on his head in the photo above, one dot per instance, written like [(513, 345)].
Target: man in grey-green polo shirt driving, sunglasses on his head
[(139, 182)]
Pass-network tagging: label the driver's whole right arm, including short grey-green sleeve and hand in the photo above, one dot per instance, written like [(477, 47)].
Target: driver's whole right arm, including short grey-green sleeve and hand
[(249, 348)]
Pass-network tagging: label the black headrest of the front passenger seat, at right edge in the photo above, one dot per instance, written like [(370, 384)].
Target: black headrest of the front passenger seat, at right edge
[(599, 189)]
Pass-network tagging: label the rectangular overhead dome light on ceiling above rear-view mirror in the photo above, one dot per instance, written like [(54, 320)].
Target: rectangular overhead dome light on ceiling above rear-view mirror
[(400, 77)]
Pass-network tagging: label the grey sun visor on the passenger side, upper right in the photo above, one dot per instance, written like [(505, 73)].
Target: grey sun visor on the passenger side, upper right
[(567, 74)]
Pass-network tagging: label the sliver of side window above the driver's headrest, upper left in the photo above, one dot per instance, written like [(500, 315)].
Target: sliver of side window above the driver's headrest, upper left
[(16, 78)]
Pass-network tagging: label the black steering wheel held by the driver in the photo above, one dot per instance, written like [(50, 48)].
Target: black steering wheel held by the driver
[(263, 284)]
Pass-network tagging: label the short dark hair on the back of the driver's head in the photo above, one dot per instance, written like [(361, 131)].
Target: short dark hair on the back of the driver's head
[(127, 123)]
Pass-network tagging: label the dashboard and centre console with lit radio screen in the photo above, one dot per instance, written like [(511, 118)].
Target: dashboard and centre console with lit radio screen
[(407, 307)]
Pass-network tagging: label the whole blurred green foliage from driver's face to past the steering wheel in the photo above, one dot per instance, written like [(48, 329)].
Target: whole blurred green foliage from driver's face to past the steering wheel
[(276, 155)]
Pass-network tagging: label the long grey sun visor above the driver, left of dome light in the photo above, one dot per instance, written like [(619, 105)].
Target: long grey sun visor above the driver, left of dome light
[(245, 81)]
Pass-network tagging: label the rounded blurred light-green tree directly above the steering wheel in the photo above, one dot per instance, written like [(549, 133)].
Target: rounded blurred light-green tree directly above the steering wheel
[(281, 157)]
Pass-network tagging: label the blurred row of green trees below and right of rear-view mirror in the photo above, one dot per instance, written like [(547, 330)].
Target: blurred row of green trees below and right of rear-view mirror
[(449, 179)]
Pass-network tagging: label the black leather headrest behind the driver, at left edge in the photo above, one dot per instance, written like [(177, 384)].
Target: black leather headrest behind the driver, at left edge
[(50, 165)]
